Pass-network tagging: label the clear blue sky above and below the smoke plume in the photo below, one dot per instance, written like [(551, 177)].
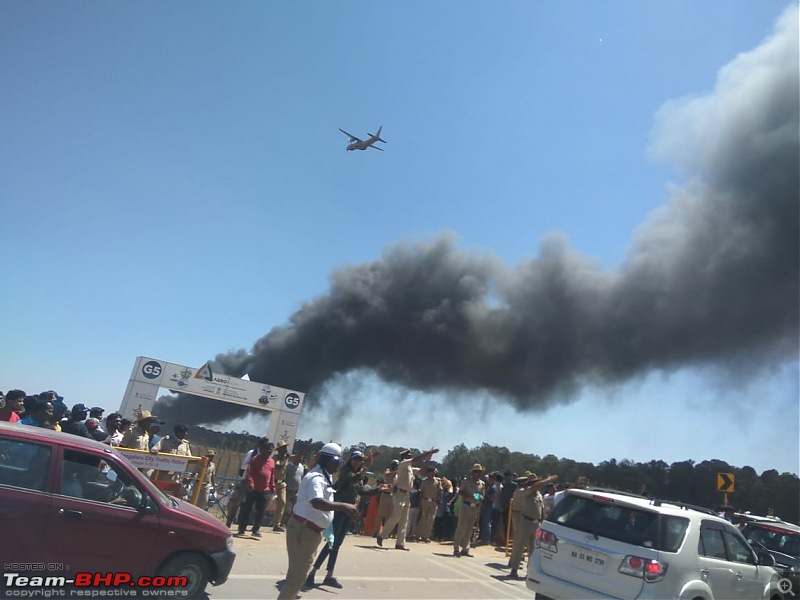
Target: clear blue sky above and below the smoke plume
[(173, 184)]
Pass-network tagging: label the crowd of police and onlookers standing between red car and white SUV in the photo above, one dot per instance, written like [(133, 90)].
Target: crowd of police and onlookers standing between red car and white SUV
[(408, 502)]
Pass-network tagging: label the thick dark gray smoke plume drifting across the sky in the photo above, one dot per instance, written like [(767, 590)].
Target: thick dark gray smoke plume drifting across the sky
[(710, 278)]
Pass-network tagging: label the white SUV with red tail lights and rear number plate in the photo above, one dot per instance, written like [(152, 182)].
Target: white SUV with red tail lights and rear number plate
[(604, 544)]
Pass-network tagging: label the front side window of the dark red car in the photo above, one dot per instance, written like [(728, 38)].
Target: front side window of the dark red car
[(90, 477)]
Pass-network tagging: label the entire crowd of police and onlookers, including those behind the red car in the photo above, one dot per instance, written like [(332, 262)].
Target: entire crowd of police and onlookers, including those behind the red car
[(408, 502)]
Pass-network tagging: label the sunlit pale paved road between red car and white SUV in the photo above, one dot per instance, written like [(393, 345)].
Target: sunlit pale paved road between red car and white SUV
[(367, 571)]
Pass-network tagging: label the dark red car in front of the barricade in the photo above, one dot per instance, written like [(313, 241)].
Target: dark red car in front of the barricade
[(70, 506)]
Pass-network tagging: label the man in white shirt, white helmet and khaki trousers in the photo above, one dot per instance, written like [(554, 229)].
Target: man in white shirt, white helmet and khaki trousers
[(313, 513)]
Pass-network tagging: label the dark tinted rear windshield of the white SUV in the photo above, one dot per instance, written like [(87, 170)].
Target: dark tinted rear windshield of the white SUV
[(621, 523)]
